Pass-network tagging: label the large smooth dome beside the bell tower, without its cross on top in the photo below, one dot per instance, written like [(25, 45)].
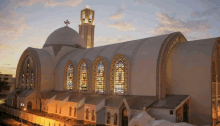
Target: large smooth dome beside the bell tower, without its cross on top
[(65, 36)]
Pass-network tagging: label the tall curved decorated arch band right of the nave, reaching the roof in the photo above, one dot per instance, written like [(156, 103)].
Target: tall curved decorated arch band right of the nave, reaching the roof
[(165, 49)]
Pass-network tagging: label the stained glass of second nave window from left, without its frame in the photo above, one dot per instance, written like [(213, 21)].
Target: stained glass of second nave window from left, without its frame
[(83, 77)]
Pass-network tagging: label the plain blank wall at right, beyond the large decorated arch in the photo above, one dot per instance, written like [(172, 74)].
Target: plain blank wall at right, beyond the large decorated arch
[(189, 73)]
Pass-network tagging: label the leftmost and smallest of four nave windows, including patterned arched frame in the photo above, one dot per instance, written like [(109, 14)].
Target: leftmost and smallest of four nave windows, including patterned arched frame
[(69, 76)]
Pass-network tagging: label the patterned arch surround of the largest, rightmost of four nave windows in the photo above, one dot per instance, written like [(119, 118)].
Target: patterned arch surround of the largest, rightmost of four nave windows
[(121, 58)]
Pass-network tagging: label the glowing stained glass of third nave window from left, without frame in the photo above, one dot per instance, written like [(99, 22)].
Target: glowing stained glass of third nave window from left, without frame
[(100, 78)]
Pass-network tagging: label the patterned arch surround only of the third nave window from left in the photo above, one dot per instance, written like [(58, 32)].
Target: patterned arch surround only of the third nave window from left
[(102, 76)]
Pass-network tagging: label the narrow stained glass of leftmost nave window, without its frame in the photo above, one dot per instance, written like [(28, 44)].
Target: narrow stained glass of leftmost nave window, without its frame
[(70, 77)]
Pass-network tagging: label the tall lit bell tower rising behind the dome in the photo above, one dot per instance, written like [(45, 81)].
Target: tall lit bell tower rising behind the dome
[(86, 27)]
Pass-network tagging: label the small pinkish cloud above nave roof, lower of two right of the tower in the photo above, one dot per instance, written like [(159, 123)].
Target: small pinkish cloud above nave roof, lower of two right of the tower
[(122, 26)]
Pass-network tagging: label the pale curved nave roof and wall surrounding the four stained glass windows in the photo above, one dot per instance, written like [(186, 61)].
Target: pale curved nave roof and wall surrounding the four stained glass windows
[(142, 55)]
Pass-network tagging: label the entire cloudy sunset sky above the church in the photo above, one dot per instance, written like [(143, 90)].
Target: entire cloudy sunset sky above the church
[(28, 23)]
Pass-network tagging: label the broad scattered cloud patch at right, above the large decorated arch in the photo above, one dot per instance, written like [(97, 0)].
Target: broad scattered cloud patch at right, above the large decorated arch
[(193, 29)]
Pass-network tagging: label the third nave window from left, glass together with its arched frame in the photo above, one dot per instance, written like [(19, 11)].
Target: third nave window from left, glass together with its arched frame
[(99, 75)]
